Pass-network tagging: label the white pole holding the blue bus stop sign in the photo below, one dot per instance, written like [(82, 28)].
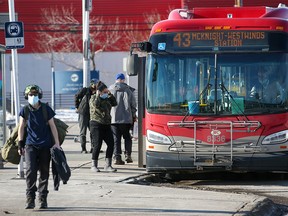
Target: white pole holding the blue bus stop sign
[(15, 82)]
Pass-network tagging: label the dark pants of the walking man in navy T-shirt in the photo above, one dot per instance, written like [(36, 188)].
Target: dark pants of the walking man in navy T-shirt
[(37, 158)]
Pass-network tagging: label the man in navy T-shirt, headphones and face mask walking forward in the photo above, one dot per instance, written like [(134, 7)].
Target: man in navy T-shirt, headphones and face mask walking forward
[(36, 146)]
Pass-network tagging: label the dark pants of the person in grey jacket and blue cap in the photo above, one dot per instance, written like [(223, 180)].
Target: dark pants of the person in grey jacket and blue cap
[(120, 130)]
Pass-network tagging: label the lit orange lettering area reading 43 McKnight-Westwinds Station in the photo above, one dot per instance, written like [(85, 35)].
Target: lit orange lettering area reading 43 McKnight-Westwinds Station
[(223, 39)]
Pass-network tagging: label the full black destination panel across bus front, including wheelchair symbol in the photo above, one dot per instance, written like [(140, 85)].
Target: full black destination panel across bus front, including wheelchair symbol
[(219, 41)]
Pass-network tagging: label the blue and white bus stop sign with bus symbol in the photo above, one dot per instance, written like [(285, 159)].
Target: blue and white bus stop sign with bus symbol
[(14, 35)]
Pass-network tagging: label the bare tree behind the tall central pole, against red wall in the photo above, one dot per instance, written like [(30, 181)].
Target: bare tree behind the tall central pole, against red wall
[(62, 33)]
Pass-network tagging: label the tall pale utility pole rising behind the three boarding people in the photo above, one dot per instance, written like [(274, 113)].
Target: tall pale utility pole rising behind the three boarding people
[(86, 8)]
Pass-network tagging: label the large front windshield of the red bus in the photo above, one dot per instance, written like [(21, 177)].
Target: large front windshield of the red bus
[(217, 84)]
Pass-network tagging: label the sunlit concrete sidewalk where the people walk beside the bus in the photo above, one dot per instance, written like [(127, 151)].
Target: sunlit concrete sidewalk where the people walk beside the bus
[(88, 193)]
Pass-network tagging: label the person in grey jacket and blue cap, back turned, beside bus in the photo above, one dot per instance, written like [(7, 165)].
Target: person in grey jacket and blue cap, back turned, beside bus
[(123, 115)]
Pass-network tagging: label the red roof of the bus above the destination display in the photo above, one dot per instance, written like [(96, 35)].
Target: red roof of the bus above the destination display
[(226, 18)]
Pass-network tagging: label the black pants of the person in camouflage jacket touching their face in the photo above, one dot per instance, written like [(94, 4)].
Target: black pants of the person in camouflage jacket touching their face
[(100, 132)]
